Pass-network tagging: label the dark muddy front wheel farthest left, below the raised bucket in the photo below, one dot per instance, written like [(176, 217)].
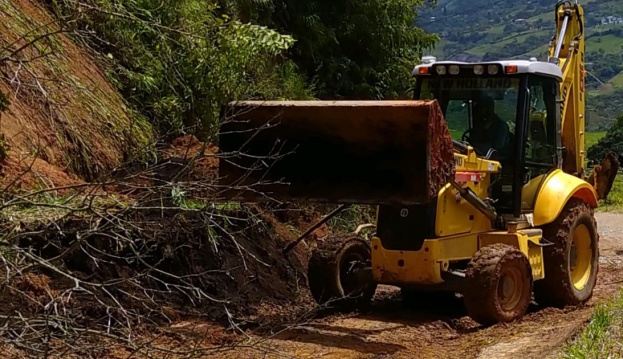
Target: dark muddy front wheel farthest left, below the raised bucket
[(331, 280)]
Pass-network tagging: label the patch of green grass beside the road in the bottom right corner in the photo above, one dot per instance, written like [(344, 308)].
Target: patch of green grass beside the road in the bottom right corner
[(603, 336)]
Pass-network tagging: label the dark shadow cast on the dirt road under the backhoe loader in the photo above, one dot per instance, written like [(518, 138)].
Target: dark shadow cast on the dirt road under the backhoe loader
[(390, 312)]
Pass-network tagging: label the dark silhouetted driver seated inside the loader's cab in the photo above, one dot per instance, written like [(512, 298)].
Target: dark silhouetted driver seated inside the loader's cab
[(489, 131)]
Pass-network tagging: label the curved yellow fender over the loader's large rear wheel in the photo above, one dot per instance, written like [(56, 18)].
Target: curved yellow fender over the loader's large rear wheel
[(556, 191)]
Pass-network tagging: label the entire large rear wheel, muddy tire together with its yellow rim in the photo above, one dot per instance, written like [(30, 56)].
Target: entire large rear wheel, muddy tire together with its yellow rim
[(572, 262)]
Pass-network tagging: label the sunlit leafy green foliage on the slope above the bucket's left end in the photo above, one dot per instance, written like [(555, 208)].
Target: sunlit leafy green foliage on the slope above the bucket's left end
[(179, 61)]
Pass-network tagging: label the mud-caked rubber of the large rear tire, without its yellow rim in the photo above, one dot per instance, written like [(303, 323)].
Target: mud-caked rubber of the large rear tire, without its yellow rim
[(557, 288)]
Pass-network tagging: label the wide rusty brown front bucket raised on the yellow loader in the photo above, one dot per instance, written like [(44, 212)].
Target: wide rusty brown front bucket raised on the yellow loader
[(348, 152)]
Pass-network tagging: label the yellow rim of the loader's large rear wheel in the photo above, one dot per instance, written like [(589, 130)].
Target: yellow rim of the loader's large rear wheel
[(581, 257)]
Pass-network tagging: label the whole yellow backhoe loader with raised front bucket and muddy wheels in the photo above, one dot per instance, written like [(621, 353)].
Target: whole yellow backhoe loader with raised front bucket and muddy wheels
[(479, 181)]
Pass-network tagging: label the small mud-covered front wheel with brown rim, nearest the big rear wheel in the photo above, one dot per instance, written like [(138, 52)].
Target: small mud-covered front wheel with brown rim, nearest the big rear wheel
[(499, 285)]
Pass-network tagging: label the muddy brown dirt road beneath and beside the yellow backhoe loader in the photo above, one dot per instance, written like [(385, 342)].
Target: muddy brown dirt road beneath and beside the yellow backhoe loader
[(392, 330)]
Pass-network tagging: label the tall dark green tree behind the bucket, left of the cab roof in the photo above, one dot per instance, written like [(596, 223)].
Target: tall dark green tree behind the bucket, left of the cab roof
[(347, 49)]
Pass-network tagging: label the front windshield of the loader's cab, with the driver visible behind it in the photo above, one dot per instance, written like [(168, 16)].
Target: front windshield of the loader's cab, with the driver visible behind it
[(479, 110)]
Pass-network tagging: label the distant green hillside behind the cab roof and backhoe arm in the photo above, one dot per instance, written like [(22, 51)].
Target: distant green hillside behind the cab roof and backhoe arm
[(494, 29)]
